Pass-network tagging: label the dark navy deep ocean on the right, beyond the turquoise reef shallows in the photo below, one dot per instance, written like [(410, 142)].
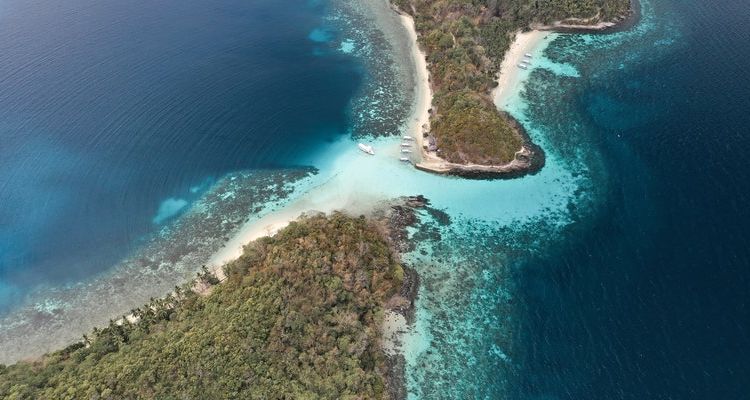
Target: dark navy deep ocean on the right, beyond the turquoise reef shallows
[(651, 298)]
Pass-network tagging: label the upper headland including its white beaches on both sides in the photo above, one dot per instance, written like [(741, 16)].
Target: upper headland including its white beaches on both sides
[(468, 58)]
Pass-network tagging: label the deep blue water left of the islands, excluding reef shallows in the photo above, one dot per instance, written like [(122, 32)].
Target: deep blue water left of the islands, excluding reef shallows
[(115, 116)]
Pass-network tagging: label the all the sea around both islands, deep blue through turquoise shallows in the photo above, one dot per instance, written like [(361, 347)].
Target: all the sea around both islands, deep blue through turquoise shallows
[(618, 272)]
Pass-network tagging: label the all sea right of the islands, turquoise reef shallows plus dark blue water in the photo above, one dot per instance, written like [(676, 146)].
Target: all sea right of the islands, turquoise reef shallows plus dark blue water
[(638, 287)]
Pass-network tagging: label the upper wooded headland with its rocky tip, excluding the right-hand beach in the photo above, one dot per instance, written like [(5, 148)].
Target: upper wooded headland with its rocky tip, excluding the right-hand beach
[(465, 43)]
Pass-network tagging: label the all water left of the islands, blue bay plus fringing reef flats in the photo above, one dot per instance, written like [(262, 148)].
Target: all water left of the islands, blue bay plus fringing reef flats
[(124, 126)]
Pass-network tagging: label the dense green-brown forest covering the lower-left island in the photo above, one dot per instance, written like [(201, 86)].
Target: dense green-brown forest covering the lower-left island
[(297, 317)]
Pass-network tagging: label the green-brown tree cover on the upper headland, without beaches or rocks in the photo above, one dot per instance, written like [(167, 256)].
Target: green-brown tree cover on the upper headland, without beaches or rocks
[(465, 41)]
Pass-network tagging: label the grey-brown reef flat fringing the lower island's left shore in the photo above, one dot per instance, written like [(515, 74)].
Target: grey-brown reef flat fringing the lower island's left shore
[(53, 317)]
